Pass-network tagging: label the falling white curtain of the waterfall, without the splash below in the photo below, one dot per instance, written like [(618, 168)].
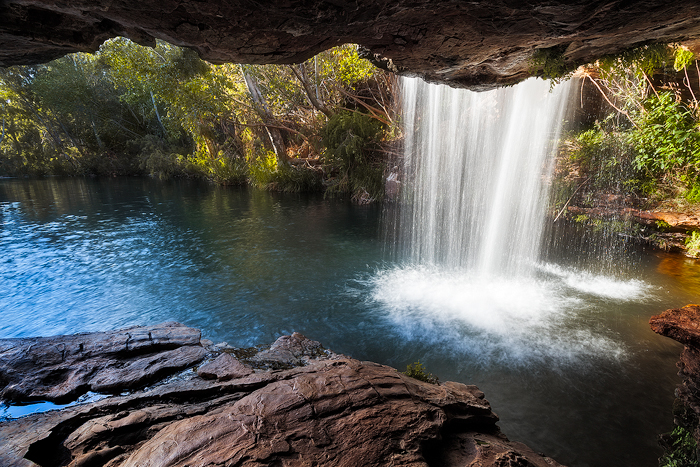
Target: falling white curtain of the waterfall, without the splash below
[(475, 174)]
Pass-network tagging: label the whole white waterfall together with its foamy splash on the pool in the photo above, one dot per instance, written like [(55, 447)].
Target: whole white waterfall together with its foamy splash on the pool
[(476, 169)]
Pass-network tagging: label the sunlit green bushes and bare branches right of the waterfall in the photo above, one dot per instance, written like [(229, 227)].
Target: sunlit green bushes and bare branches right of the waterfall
[(650, 134)]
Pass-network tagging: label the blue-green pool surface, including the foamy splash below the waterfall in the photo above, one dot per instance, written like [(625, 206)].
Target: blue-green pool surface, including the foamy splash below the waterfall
[(566, 357)]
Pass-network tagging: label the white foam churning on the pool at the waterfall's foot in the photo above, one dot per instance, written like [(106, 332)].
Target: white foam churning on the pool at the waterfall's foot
[(511, 321)]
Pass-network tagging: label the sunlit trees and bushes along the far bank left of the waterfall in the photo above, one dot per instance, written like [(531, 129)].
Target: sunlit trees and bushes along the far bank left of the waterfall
[(131, 110)]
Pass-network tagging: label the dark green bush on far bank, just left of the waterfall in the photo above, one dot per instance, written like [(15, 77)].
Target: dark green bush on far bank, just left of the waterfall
[(352, 140)]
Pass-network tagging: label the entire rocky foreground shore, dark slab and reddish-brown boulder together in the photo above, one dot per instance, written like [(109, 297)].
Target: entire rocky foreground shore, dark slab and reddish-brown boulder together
[(178, 400)]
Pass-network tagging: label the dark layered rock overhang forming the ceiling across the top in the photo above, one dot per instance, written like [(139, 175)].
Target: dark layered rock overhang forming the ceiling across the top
[(476, 44)]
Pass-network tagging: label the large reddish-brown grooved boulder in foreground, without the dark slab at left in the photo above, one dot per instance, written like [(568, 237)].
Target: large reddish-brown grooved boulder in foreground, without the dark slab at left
[(295, 404)]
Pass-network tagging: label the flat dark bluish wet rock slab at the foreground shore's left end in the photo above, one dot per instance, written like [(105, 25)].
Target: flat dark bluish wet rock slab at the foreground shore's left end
[(62, 368)]
